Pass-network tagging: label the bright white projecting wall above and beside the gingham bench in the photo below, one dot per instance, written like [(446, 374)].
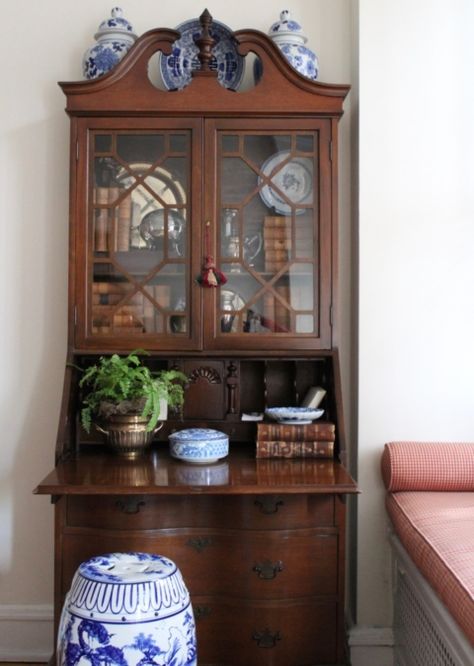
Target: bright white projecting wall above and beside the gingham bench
[(416, 273)]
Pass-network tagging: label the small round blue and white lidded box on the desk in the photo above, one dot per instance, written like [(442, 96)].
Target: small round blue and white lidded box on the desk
[(199, 445)]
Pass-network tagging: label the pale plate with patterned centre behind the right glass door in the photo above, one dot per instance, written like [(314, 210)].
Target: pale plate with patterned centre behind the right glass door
[(294, 179)]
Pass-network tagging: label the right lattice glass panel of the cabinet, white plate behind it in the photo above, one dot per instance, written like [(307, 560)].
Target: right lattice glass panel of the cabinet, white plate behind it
[(273, 235)]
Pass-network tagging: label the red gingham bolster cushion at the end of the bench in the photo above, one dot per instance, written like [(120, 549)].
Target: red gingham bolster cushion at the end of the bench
[(428, 466)]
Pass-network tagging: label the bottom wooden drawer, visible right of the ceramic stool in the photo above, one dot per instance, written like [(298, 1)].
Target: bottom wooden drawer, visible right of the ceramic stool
[(279, 634)]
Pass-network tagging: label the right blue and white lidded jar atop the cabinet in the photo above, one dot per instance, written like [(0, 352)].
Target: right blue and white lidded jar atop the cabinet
[(288, 35)]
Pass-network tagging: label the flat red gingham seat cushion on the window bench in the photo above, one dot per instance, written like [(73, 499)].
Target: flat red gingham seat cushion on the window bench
[(437, 530)]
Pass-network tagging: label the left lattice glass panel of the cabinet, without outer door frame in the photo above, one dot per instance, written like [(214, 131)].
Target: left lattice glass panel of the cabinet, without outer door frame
[(139, 250)]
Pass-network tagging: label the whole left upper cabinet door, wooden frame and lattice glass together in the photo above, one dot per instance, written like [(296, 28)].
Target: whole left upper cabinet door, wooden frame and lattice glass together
[(138, 234)]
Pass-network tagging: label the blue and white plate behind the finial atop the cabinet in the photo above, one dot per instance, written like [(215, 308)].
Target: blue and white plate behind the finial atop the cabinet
[(176, 69)]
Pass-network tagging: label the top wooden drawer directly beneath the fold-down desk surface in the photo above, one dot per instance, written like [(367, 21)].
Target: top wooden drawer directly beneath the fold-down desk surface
[(148, 512)]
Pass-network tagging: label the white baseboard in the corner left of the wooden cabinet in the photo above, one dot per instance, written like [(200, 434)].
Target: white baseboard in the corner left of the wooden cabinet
[(26, 632)]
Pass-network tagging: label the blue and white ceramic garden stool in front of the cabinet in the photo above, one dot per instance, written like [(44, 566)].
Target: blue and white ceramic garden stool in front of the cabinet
[(127, 609)]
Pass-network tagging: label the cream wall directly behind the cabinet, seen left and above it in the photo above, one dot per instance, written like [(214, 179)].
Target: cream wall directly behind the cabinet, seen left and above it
[(43, 43)]
